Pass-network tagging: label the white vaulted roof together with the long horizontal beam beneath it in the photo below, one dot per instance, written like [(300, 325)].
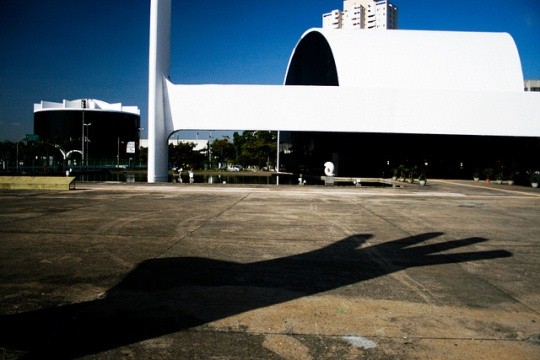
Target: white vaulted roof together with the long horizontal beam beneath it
[(393, 81)]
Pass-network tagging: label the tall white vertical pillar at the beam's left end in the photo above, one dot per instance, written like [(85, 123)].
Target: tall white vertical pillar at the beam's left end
[(158, 69)]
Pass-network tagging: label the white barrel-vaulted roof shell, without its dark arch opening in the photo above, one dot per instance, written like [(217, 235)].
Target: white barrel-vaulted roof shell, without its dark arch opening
[(415, 59)]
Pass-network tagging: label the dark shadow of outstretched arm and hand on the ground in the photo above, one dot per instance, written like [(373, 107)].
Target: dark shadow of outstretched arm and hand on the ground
[(160, 295)]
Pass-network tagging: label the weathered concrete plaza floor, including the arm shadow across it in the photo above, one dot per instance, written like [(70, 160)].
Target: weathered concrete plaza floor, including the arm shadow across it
[(187, 271)]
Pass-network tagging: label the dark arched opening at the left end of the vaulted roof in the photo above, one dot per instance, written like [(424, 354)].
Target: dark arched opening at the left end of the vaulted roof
[(312, 63)]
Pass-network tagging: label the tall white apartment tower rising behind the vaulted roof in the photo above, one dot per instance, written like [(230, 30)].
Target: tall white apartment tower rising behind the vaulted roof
[(362, 14)]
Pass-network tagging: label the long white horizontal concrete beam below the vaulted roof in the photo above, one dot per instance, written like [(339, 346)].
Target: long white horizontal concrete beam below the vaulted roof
[(347, 109)]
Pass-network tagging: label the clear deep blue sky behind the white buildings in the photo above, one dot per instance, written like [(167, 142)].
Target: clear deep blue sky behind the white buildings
[(69, 49)]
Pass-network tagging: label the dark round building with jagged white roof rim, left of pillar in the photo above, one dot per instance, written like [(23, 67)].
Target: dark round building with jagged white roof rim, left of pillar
[(103, 132)]
